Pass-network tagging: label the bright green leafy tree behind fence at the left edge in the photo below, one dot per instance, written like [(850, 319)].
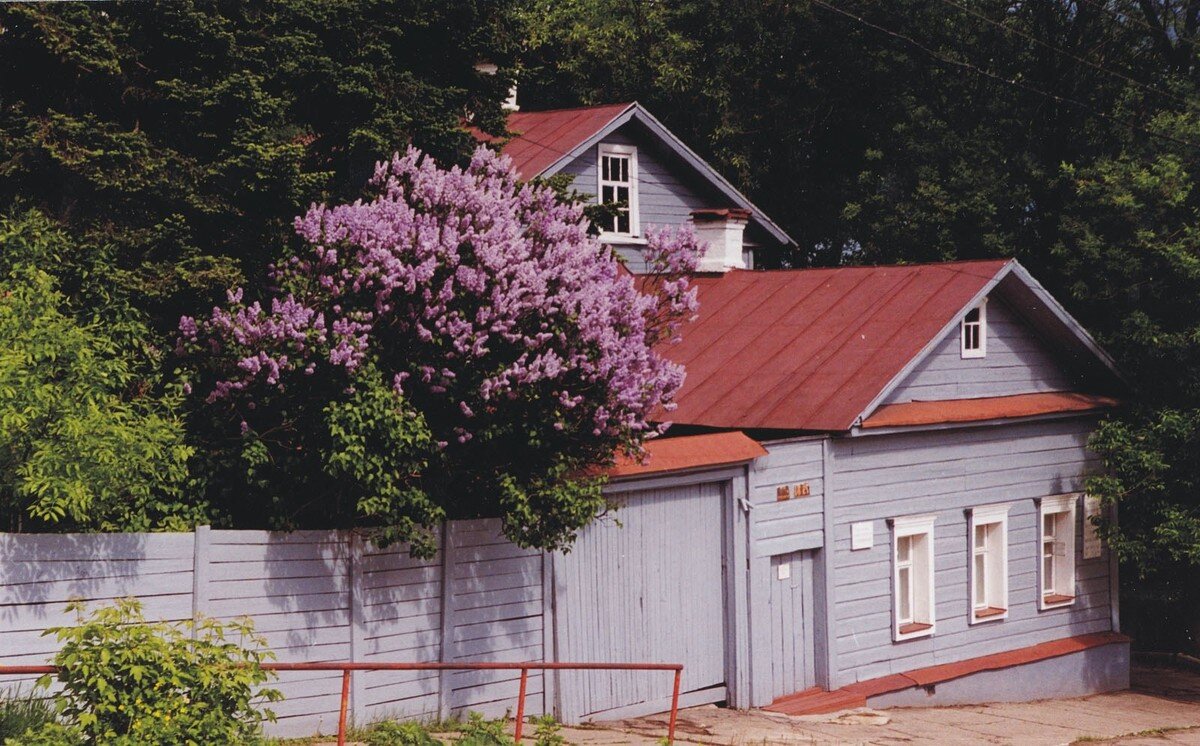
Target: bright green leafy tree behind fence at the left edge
[(83, 443)]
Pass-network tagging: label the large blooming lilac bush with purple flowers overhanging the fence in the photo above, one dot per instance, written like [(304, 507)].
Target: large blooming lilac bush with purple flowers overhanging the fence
[(457, 346)]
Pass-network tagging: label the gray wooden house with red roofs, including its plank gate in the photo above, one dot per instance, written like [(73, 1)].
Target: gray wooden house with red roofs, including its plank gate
[(873, 489)]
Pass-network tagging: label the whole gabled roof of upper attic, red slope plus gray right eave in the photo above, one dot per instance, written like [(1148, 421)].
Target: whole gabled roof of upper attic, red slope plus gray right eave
[(544, 142)]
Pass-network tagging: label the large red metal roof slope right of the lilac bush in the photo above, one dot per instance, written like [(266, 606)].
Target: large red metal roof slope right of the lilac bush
[(812, 350)]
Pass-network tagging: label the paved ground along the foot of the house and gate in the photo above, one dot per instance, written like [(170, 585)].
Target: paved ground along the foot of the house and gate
[(1162, 708)]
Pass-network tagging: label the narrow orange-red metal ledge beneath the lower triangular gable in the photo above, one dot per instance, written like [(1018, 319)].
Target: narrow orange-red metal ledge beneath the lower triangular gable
[(986, 408)]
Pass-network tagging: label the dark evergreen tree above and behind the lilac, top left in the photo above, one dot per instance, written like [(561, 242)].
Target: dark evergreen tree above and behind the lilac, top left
[(184, 137)]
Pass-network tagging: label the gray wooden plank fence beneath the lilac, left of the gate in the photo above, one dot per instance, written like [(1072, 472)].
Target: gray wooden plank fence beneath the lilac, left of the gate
[(315, 597)]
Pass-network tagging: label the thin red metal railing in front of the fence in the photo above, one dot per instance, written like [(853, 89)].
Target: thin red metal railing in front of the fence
[(525, 669)]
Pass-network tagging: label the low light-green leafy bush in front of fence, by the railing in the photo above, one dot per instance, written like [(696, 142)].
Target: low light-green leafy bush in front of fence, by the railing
[(128, 682)]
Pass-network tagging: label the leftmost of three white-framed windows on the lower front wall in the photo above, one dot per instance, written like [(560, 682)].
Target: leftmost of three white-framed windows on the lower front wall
[(923, 610)]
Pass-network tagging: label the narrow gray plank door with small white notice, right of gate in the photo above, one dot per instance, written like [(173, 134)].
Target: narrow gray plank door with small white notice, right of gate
[(791, 625)]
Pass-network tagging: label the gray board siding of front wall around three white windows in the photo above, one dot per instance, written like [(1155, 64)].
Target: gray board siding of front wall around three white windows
[(946, 473)]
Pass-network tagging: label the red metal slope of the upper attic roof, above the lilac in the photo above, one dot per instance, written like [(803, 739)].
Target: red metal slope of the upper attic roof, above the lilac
[(543, 137)]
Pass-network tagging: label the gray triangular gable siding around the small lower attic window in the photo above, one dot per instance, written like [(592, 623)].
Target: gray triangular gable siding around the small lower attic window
[(1018, 363)]
